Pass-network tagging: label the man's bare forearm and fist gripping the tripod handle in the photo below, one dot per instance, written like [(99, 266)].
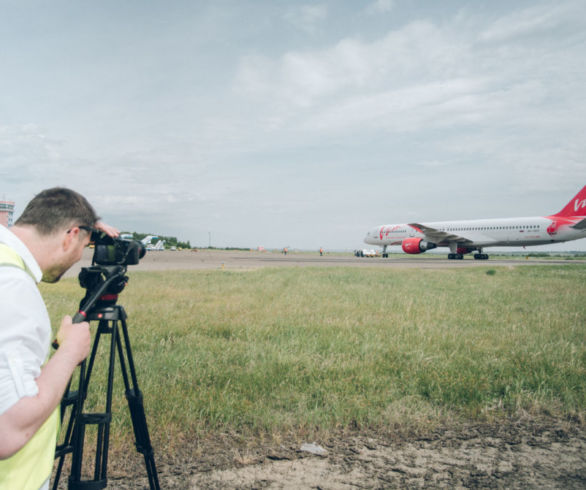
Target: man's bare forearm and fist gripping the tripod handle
[(20, 422)]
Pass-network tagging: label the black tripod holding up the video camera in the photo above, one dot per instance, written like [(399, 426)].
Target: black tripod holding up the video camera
[(111, 321)]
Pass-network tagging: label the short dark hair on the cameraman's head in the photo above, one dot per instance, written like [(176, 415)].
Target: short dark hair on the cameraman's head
[(57, 208)]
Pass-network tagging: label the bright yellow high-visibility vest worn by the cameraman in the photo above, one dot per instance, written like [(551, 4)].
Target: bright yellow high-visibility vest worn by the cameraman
[(32, 464)]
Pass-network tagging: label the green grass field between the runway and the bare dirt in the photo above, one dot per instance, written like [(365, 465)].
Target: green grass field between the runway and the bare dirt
[(300, 350)]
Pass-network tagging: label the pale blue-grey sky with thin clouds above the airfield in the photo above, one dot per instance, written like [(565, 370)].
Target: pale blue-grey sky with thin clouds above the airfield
[(294, 124)]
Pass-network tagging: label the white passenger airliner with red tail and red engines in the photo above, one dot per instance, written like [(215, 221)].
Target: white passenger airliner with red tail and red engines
[(463, 237)]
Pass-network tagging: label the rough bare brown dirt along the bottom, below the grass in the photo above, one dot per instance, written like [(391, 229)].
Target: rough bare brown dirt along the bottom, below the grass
[(544, 454)]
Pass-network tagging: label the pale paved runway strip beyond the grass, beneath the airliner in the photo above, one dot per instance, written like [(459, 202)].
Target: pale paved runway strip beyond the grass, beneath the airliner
[(205, 259)]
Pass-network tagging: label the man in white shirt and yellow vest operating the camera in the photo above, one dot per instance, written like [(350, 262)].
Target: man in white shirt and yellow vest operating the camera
[(43, 244)]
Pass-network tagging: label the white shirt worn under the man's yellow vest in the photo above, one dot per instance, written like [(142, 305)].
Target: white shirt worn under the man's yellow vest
[(25, 328)]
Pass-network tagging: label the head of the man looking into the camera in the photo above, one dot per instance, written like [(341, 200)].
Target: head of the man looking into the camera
[(55, 226)]
